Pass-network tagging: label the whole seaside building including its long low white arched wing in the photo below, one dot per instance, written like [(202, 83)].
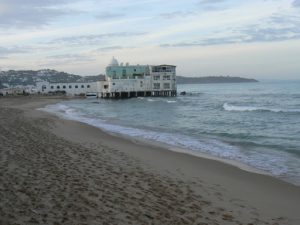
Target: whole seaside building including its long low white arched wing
[(122, 81)]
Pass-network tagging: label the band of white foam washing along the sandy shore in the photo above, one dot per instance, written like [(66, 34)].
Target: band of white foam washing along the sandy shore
[(212, 147)]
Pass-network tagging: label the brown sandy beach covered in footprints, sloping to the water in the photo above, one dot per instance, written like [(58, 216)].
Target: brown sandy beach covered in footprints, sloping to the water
[(56, 171)]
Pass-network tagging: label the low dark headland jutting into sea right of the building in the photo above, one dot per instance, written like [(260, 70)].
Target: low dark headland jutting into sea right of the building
[(212, 79)]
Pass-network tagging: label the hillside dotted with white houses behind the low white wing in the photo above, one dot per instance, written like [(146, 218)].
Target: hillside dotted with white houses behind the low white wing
[(30, 77)]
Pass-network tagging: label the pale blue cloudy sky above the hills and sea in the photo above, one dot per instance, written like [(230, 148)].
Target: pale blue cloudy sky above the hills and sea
[(257, 38)]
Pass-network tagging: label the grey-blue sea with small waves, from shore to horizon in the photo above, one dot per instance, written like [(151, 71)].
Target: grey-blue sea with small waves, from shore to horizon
[(257, 124)]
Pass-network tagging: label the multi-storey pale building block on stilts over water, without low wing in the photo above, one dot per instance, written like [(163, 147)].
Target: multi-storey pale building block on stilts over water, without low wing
[(124, 80)]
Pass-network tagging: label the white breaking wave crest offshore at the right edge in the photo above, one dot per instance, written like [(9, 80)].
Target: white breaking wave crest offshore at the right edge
[(229, 107)]
